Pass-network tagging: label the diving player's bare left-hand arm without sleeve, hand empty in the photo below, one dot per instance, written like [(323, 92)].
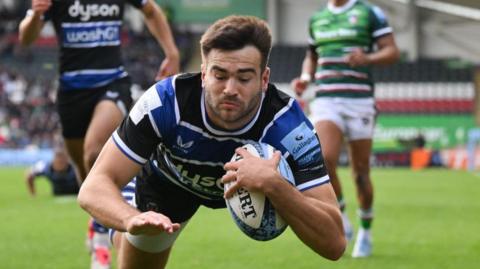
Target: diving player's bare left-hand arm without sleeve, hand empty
[(101, 197)]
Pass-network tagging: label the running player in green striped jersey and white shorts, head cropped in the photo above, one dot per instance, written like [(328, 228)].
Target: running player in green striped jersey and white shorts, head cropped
[(342, 43)]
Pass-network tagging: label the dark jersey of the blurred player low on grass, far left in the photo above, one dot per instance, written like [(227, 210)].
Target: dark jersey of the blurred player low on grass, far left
[(63, 182)]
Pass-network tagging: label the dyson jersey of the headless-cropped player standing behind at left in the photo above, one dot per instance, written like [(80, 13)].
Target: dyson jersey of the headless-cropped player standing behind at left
[(89, 35)]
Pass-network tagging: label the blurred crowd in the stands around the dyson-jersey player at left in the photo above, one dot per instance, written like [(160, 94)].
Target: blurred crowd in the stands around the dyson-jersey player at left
[(28, 81)]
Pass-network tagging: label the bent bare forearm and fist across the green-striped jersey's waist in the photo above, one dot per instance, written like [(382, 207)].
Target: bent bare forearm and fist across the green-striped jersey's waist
[(387, 53)]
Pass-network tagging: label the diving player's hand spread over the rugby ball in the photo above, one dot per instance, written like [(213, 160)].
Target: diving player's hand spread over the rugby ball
[(251, 173)]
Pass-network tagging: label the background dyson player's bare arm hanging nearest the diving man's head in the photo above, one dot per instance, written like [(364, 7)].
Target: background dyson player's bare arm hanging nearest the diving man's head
[(158, 25)]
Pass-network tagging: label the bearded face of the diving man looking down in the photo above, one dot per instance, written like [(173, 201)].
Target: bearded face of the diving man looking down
[(233, 84)]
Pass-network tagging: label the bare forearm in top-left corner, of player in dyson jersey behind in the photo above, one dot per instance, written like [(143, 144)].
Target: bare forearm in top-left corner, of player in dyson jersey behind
[(32, 24)]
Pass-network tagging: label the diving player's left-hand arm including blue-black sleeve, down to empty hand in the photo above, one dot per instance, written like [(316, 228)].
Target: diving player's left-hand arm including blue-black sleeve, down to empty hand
[(122, 158)]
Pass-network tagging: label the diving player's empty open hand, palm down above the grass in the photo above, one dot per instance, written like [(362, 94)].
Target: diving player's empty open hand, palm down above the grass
[(150, 223)]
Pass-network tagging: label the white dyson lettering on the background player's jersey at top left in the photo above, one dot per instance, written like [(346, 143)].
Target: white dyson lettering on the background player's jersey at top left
[(87, 11)]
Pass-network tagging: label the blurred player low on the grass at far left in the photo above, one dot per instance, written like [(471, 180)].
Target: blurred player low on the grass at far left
[(59, 172)]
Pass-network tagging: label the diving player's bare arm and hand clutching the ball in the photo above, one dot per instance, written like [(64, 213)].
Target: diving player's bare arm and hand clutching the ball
[(313, 214)]
